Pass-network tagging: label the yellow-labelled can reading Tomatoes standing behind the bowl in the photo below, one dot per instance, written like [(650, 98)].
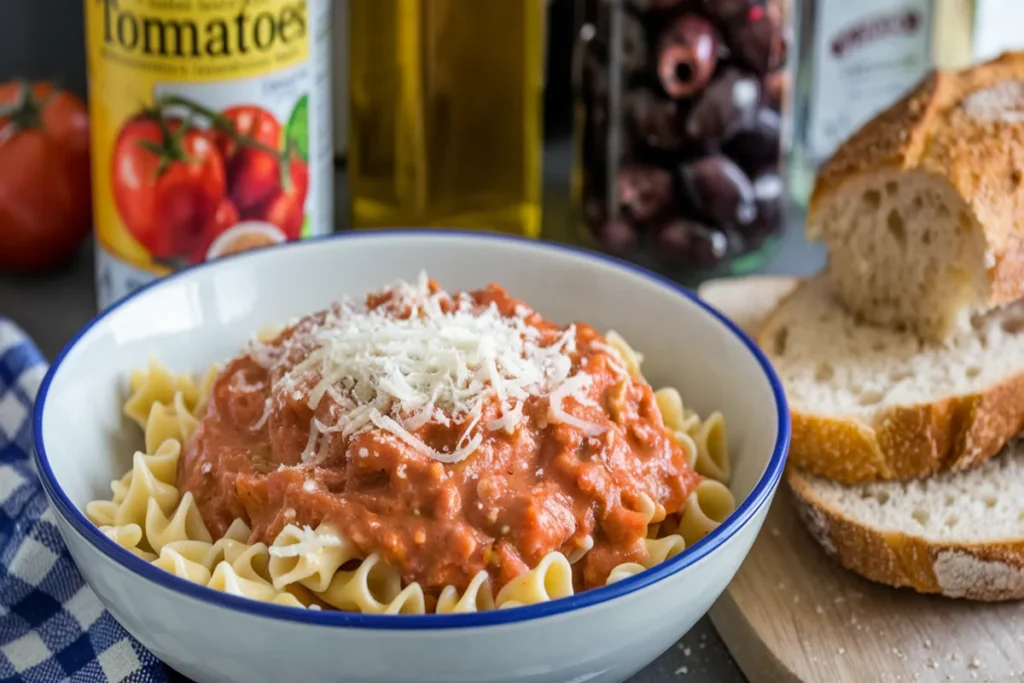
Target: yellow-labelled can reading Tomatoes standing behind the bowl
[(211, 132)]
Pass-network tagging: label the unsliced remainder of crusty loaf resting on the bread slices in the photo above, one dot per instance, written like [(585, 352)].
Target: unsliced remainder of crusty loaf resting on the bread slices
[(923, 208)]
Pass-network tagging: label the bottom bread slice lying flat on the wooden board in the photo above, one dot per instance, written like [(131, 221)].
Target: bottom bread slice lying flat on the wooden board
[(957, 534)]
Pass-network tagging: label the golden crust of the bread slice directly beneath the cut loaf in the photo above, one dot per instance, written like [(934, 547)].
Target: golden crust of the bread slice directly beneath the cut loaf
[(905, 442)]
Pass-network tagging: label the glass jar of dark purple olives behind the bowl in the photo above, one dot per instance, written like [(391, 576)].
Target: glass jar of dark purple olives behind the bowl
[(680, 132)]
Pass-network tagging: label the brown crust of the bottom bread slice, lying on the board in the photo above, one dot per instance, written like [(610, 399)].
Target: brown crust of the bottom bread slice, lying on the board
[(991, 572)]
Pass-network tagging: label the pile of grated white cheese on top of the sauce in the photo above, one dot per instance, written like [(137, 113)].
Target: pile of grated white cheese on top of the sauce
[(399, 373)]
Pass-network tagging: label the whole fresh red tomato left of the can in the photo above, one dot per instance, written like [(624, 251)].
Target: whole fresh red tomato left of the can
[(46, 194)]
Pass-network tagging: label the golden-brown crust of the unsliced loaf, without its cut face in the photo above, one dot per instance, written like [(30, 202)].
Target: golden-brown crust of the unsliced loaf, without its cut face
[(983, 158)]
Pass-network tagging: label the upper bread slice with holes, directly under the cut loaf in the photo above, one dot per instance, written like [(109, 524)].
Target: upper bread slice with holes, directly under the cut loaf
[(873, 404)]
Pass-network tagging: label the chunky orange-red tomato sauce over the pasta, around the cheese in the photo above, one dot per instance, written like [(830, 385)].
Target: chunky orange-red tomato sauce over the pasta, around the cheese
[(546, 487)]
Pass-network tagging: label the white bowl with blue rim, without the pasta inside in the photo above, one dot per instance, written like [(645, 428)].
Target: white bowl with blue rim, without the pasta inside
[(206, 314)]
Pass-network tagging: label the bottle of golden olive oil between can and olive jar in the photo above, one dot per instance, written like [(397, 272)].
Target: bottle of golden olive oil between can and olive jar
[(446, 114)]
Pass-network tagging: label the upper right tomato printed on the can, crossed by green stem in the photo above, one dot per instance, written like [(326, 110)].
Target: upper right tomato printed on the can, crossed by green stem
[(253, 175)]
